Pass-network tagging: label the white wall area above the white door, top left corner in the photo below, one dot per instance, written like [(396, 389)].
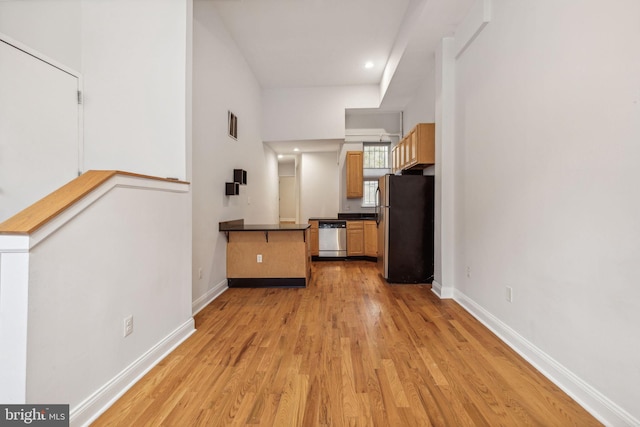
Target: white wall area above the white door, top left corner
[(53, 28)]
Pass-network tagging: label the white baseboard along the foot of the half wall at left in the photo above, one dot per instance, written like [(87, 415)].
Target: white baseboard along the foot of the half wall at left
[(92, 407)]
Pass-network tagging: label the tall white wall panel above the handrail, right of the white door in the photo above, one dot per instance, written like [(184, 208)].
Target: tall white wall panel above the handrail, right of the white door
[(134, 69)]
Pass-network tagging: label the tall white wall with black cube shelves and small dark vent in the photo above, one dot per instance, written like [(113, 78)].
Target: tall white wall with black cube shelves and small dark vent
[(223, 81)]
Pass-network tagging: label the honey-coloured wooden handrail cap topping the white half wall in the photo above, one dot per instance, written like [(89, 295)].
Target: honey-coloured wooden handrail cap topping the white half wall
[(38, 214)]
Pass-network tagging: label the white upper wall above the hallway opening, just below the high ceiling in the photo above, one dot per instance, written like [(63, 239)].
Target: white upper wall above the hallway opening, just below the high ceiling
[(313, 112)]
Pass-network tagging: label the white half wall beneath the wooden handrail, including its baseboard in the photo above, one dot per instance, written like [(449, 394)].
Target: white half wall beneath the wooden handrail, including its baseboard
[(122, 250)]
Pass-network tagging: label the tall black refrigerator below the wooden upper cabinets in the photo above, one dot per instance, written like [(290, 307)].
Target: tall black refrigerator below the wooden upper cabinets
[(405, 208)]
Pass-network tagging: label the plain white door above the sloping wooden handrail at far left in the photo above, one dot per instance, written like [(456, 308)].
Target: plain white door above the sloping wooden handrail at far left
[(39, 122)]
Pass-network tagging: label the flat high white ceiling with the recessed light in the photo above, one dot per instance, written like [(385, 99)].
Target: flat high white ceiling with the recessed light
[(297, 43)]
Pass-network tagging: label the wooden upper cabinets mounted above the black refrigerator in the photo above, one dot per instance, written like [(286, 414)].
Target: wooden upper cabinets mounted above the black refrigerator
[(417, 149)]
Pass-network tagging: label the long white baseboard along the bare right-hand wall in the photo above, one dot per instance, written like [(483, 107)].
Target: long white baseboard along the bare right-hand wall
[(598, 405)]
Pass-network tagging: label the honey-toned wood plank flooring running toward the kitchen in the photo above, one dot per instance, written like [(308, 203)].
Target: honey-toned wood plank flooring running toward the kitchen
[(349, 350)]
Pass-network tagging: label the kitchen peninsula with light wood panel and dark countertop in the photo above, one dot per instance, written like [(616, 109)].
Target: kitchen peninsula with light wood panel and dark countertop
[(267, 255)]
